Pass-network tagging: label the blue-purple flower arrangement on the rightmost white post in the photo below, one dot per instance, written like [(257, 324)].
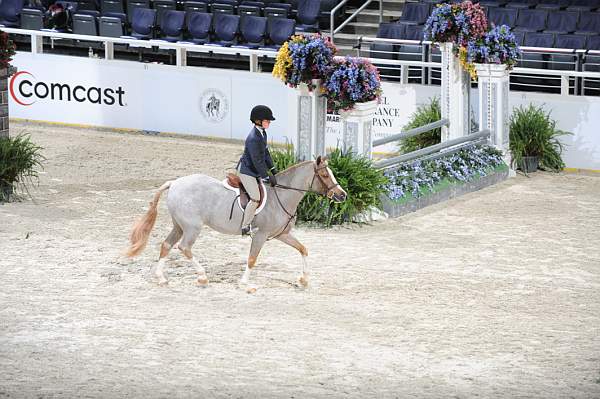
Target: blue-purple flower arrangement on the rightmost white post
[(498, 46)]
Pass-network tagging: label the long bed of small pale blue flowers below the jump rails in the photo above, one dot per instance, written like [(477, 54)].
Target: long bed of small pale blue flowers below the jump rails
[(417, 178)]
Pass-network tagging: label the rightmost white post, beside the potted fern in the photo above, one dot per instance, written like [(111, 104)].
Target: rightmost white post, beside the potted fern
[(493, 105)]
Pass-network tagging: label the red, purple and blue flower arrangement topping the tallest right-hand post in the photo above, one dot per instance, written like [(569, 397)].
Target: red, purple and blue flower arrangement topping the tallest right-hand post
[(458, 23)]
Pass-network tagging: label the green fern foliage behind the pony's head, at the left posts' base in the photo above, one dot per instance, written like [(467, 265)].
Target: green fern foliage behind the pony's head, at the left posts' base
[(362, 182)]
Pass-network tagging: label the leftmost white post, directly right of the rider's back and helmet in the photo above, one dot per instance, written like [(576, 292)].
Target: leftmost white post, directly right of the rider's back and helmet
[(312, 113)]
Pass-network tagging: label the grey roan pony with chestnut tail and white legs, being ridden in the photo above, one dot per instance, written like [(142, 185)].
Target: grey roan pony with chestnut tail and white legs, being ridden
[(197, 200)]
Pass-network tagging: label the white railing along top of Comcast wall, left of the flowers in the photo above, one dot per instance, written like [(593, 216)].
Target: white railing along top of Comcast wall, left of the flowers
[(181, 49)]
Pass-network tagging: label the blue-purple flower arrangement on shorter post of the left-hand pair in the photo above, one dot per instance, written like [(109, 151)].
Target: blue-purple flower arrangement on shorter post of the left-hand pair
[(349, 81)]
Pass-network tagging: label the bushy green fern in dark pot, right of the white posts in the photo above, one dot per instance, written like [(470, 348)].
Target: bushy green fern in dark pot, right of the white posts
[(533, 133)]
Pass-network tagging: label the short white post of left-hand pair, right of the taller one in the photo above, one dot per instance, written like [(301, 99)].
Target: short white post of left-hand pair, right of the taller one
[(357, 128)]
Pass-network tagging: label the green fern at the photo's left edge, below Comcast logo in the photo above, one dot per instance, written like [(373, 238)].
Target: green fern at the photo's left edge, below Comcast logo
[(20, 161)]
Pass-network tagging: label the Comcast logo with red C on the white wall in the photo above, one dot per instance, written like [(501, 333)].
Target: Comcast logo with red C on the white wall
[(25, 89)]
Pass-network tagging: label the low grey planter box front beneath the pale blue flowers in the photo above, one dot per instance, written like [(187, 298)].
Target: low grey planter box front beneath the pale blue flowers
[(443, 191)]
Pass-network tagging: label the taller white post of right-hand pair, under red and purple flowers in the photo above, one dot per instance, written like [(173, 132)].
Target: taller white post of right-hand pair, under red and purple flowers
[(455, 101)]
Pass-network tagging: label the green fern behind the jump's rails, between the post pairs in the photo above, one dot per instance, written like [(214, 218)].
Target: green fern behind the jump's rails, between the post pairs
[(425, 114)]
